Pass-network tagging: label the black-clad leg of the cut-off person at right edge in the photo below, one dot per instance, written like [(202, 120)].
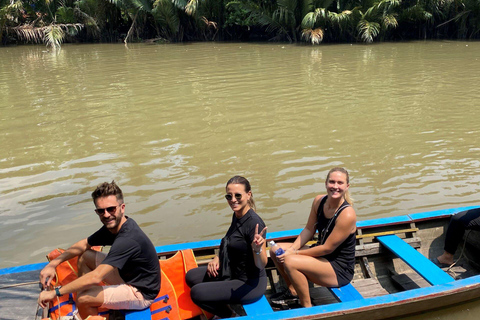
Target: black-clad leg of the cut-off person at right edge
[(461, 221)]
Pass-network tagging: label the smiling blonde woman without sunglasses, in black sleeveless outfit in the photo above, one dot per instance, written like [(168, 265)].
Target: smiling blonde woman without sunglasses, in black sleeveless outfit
[(331, 261)]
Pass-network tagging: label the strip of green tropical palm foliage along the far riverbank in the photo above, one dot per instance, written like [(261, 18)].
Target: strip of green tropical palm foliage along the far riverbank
[(53, 22)]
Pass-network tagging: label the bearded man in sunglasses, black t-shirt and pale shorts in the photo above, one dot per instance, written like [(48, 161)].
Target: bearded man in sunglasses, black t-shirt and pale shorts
[(130, 269)]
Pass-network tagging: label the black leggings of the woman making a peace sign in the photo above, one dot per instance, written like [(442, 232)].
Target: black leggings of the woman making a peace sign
[(214, 295)]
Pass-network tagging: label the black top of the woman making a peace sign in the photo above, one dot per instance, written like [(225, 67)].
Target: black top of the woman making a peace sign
[(241, 234)]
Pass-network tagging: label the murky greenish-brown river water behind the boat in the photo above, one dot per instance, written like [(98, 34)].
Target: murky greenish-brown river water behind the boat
[(172, 123)]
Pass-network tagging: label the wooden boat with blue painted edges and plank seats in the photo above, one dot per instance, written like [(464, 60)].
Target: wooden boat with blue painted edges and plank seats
[(393, 274)]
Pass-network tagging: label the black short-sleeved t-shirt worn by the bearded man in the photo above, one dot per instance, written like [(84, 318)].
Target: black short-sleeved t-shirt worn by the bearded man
[(133, 254)]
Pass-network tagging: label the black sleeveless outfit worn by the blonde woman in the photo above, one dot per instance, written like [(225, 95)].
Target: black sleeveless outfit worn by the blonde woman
[(344, 254)]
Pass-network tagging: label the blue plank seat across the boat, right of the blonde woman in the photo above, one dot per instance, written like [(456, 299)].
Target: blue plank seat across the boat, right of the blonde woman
[(418, 262)]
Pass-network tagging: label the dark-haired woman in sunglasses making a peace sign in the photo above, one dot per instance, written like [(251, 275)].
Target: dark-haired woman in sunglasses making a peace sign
[(244, 247)]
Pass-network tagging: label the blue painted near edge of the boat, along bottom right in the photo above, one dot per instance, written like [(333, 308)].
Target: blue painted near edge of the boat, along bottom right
[(369, 302)]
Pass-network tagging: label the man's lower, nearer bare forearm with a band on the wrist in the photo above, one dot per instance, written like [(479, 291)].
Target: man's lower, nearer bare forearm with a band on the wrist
[(84, 282)]
